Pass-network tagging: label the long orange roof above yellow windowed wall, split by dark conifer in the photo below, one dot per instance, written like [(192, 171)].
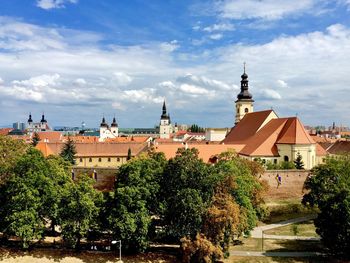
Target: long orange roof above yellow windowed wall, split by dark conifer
[(94, 149)]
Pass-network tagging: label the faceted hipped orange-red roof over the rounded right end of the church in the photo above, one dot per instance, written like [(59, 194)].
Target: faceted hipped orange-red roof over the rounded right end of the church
[(294, 133)]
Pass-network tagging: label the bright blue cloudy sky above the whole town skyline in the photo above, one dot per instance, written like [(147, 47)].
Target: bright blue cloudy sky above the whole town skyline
[(79, 60)]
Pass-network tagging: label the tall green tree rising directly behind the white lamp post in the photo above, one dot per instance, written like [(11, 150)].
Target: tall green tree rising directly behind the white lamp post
[(136, 200)]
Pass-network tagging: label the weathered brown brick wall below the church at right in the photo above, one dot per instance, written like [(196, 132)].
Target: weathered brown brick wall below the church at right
[(291, 186)]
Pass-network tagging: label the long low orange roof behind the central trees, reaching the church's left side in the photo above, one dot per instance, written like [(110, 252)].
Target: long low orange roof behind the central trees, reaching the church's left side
[(206, 151)]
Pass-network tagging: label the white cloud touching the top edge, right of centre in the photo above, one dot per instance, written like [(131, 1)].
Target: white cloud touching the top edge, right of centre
[(262, 9)]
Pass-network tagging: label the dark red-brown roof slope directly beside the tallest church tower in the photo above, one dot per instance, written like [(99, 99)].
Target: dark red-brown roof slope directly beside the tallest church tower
[(247, 127)]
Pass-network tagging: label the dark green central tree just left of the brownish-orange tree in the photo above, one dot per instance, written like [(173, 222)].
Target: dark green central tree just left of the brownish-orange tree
[(186, 190)]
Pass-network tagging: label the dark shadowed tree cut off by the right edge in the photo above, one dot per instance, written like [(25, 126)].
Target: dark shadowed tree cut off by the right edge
[(328, 189)]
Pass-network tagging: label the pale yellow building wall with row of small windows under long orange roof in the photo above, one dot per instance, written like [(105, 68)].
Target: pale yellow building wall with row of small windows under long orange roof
[(101, 162)]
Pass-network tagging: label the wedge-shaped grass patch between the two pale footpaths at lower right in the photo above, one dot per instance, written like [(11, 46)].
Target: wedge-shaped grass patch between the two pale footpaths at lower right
[(306, 228)]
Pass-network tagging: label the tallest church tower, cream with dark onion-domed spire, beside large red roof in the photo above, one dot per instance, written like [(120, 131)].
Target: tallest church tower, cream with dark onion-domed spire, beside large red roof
[(244, 102)]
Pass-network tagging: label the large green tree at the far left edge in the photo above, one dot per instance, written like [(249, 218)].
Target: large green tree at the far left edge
[(29, 197)]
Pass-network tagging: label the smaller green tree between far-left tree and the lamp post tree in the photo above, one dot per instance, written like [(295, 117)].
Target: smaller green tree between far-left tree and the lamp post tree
[(78, 210)]
